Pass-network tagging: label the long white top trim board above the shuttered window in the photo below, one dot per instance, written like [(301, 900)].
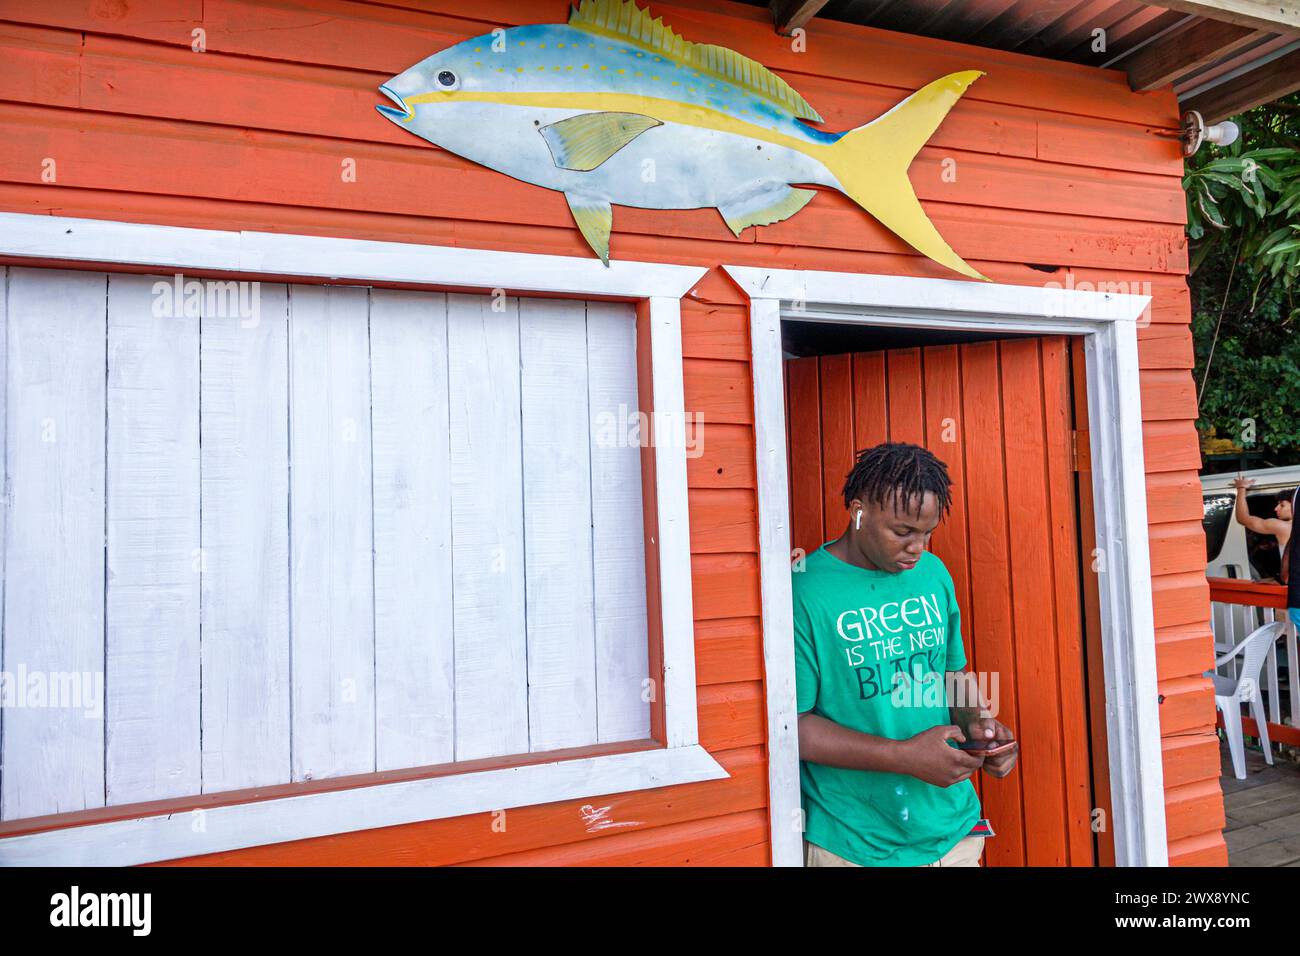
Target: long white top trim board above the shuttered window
[(318, 257)]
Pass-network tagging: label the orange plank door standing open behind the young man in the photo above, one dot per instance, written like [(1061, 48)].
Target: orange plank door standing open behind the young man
[(1000, 414)]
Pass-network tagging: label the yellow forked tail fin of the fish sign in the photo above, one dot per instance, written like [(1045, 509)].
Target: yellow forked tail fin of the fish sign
[(872, 165)]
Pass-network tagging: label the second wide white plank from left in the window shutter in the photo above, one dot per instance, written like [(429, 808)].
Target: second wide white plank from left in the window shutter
[(153, 548)]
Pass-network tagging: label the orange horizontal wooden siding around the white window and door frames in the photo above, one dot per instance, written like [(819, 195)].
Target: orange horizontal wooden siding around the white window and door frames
[(1059, 180)]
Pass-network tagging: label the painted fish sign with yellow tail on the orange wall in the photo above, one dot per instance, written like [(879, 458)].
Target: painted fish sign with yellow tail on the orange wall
[(617, 109)]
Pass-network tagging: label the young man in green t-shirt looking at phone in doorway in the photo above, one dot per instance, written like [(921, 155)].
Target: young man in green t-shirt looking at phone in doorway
[(877, 648)]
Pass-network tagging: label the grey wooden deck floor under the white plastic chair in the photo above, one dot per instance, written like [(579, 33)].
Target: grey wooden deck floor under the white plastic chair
[(1263, 812)]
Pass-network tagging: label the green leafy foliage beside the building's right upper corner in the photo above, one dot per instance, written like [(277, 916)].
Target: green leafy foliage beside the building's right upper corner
[(1243, 219)]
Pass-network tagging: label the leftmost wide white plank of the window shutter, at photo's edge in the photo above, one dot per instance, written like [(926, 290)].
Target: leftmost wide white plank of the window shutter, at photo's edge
[(54, 604)]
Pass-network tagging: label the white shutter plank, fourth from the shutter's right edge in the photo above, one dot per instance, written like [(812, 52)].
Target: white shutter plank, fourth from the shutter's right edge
[(414, 664)]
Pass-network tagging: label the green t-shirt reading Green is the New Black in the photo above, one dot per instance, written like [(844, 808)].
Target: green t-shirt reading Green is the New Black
[(855, 631)]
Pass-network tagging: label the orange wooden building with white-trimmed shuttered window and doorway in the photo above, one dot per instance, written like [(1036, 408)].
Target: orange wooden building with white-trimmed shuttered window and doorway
[(237, 141)]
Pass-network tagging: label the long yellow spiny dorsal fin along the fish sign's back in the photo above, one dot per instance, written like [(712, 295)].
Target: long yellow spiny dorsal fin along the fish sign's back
[(629, 23)]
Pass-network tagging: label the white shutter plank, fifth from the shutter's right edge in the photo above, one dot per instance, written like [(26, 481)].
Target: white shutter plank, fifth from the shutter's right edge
[(331, 507)]
